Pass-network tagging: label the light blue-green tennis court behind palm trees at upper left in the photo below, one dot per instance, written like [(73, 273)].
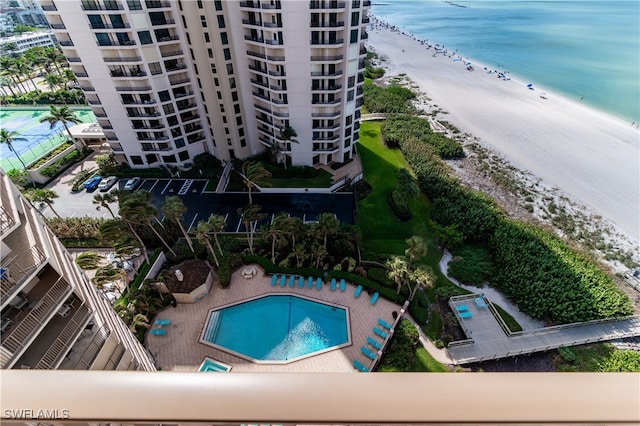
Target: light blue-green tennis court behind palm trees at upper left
[(41, 138)]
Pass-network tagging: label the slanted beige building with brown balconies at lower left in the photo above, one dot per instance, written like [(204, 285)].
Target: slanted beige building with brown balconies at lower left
[(52, 317)]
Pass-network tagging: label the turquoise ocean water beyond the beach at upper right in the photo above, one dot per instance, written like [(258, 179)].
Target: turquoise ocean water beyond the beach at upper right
[(584, 49)]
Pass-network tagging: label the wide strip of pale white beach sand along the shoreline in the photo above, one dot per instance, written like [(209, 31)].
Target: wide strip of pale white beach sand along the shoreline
[(590, 156)]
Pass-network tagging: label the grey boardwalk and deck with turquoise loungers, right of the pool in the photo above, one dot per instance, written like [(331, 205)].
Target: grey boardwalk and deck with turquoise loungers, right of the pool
[(489, 338)]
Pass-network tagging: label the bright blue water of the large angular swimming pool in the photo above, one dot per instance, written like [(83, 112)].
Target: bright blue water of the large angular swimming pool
[(277, 327)]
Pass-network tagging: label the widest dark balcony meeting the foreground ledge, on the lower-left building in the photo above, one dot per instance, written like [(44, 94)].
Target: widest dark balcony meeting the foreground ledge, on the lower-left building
[(54, 341)]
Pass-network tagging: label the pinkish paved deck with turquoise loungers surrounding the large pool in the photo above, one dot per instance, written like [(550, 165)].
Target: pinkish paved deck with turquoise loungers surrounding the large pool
[(180, 350)]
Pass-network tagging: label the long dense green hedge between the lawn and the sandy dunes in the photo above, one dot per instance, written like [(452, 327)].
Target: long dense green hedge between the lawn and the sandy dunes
[(539, 272)]
